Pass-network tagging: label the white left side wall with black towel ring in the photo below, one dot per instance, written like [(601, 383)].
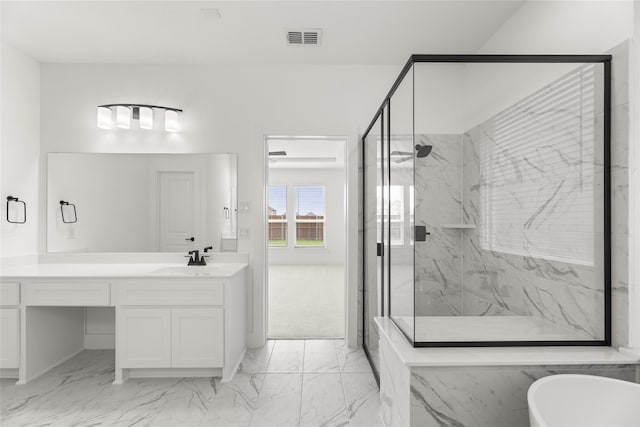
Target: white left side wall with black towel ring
[(20, 146)]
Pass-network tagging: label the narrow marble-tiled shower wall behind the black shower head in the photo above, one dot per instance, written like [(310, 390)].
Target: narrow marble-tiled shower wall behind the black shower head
[(438, 200)]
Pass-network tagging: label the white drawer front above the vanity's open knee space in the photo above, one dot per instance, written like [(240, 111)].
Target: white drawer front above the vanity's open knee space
[(68, 294)]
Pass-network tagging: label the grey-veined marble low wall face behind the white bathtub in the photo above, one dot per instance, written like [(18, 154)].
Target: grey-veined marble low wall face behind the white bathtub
[(486, 396)]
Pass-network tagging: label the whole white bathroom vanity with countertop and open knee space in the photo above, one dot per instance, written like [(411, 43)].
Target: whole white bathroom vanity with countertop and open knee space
[(170, 320)]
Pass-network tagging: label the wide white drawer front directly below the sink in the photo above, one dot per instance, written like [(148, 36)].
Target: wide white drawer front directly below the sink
[(170, 293)]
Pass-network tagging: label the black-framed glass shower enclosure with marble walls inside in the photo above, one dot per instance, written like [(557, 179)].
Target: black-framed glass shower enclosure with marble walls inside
[(486, 210)]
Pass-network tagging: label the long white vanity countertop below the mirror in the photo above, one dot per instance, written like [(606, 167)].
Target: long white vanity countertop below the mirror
[(121, 270)]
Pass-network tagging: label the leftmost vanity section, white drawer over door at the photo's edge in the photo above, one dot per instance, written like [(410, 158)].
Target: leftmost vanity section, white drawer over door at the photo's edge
[(9, 325)]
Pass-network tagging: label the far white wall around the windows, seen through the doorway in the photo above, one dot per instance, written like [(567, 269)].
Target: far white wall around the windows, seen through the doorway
[(334, 182)]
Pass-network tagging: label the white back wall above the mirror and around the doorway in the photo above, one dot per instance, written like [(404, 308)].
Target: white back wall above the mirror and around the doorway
[(226, 109)]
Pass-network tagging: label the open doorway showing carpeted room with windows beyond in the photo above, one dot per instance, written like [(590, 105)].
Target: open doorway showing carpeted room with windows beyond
[(305, 237)]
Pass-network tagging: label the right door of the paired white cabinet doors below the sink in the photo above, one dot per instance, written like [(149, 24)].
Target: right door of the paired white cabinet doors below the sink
[(197, 337)]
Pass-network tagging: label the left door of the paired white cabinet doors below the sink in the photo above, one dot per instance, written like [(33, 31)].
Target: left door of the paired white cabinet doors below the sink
[(144, 337)]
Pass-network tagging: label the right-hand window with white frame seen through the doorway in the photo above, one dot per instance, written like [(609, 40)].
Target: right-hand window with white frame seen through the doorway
[(310, 215)]
